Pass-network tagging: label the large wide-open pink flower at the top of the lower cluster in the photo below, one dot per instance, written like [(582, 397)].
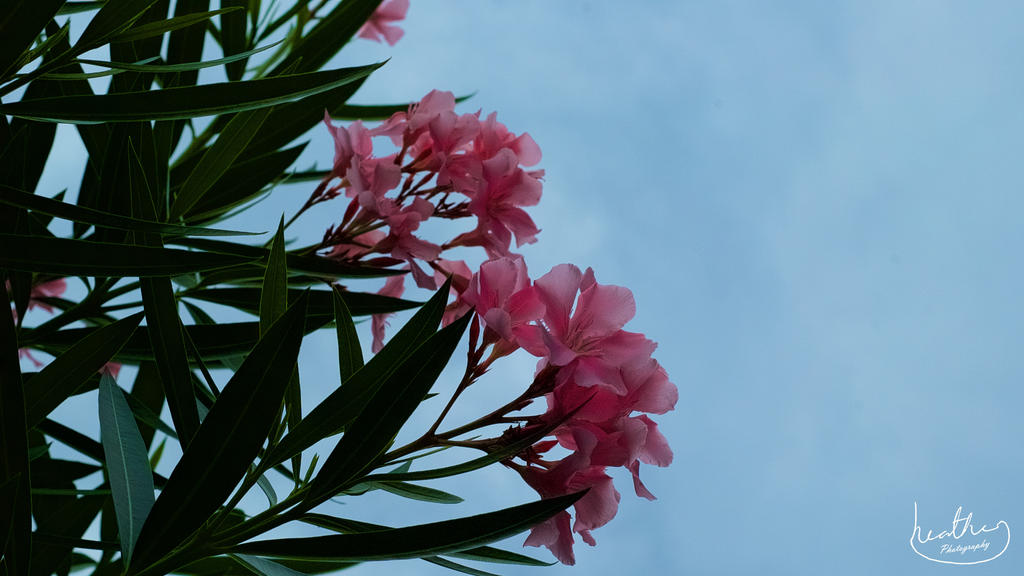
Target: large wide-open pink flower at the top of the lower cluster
[(588, 342)]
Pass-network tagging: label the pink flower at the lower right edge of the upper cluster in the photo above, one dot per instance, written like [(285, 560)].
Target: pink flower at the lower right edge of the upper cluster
[(497, 204)]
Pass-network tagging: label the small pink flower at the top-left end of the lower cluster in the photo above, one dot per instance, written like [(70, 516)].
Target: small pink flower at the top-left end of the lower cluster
[(504, 300)]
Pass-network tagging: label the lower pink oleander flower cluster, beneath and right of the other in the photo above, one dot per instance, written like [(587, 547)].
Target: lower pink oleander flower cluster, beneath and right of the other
[(601, 382)]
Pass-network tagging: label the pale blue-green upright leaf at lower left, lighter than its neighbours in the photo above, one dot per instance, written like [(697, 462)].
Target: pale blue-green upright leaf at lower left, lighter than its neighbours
[(127, 464)]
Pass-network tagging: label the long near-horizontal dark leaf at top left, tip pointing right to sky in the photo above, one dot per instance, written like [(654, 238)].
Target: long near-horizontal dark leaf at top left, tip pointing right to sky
[(188, 102)]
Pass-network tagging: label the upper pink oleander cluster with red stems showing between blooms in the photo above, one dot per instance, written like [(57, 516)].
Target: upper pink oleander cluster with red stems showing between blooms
[(448, 167)]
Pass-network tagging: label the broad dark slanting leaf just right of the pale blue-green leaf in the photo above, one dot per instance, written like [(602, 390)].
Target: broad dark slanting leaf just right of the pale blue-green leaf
[(228, 442)]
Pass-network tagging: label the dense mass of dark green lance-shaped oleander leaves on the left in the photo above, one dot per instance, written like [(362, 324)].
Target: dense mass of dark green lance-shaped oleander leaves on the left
[(157, 185)]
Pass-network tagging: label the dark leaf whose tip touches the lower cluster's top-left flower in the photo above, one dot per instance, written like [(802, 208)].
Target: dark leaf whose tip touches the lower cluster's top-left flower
[(370, 435)]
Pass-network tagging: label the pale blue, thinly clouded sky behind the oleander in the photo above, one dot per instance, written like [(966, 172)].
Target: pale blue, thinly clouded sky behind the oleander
[(818, 208)]
